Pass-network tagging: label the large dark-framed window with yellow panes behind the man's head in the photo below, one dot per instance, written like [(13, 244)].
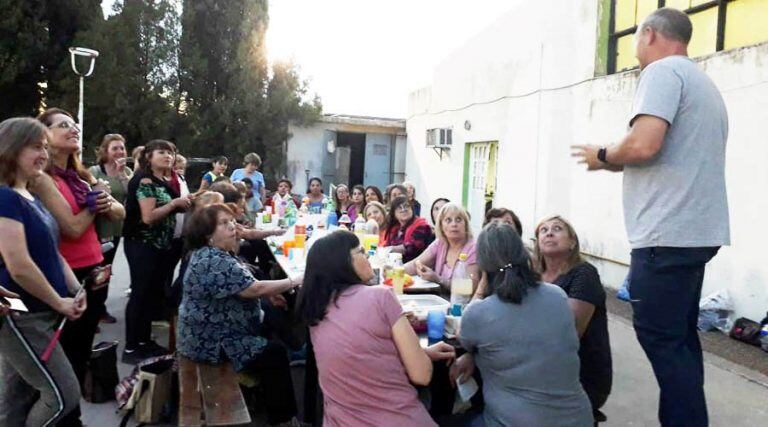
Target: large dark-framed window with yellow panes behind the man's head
[(717, 25)]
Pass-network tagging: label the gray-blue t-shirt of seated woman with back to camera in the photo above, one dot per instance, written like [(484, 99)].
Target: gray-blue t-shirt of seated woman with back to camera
[(530, 365)]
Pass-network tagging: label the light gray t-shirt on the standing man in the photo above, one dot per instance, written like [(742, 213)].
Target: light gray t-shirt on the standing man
[(678, 198)]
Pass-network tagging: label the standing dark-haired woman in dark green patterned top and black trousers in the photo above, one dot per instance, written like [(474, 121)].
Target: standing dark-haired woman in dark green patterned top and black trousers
[(152, 201)]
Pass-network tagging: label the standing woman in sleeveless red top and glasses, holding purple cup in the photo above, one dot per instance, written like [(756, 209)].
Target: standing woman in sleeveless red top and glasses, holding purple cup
[(80, 246)]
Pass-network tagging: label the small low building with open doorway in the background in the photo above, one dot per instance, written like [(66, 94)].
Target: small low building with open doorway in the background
[(346, 149)]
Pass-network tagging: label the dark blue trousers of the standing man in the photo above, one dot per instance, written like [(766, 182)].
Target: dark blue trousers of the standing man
[(665, 288)]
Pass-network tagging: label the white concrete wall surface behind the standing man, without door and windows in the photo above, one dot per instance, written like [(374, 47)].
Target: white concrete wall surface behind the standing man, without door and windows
[(494, 82)]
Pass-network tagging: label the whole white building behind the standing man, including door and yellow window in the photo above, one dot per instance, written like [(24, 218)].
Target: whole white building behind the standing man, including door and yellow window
[(496, 125)]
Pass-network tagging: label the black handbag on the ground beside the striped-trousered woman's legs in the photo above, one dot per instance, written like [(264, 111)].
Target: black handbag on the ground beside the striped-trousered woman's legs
[(101, 377)]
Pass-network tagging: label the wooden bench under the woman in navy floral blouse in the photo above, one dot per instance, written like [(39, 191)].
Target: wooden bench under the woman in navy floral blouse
[(209, 395)]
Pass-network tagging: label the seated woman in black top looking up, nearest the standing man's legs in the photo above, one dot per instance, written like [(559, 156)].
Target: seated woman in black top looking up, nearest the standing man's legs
[(558, 258)]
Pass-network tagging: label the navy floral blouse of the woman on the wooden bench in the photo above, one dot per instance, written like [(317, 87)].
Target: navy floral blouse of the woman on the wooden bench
[(215, 323)]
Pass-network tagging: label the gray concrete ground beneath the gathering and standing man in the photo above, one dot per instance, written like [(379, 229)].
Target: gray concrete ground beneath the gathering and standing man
[(737, 395)]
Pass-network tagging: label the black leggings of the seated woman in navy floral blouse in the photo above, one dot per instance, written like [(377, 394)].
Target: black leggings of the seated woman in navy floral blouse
[(274, 369)]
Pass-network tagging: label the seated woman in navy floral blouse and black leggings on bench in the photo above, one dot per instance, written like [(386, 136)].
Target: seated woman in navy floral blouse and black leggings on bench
[(220, 315)]
